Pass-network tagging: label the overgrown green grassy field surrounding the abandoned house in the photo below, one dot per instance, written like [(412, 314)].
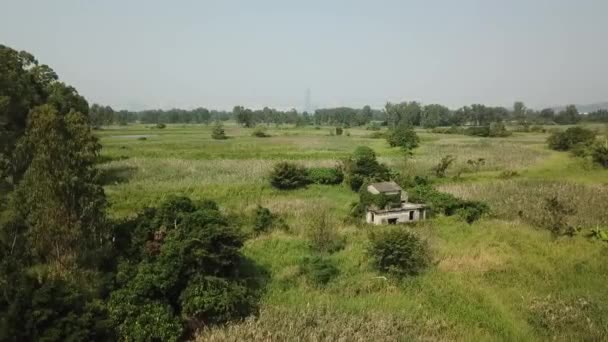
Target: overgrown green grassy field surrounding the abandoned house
[(498, 279)]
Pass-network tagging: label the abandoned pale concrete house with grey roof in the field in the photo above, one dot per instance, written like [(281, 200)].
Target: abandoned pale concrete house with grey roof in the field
[(395, 207)]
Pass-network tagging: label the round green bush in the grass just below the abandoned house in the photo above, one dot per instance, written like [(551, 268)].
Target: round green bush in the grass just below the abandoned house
[(399, 252)]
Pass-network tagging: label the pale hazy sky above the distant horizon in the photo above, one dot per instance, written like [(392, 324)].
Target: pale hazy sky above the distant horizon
[(136, 55)]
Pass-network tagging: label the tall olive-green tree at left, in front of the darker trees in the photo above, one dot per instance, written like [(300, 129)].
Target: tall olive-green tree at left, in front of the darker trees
[(59, 197)]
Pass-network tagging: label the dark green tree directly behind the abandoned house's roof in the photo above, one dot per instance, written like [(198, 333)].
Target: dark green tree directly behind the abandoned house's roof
[(363, 167)]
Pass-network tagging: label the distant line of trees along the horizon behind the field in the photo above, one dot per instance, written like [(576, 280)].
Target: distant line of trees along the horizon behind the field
[(393, 114)]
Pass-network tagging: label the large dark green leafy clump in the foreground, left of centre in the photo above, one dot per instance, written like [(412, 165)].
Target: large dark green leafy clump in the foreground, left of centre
[(184, 269)]
